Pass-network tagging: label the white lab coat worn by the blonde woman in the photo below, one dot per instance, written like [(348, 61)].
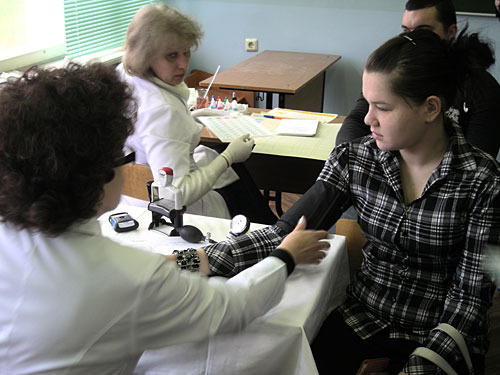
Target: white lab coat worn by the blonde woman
[(166, 136)]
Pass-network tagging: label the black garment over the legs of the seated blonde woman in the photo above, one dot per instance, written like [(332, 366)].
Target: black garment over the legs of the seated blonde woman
[(243, 197)]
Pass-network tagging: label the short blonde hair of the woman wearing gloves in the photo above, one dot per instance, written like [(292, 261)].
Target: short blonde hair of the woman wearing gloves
[(153, 25)]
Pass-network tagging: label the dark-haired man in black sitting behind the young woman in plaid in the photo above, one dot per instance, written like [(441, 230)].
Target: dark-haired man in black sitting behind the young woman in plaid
[(475, 107)]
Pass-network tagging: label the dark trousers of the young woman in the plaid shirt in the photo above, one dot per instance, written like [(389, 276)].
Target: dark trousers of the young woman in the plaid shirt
[(337, 349)]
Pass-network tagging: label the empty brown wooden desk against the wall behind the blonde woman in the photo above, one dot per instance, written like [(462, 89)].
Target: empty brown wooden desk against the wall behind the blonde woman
[(298, 78)]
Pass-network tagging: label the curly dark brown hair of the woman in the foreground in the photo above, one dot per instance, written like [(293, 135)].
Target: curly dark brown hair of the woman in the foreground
[(61, 135)]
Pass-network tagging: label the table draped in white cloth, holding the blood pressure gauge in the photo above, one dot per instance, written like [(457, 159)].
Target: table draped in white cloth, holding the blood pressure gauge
[(276, 343)]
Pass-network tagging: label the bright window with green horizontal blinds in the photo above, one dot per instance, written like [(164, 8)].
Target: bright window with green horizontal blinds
[(36, 31)]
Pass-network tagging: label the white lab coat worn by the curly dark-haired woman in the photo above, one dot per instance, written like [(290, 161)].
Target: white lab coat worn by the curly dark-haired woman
[(80, 303)]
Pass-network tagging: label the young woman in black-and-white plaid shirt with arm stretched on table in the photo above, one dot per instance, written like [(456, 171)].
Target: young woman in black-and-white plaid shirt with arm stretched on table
[(428, 202)]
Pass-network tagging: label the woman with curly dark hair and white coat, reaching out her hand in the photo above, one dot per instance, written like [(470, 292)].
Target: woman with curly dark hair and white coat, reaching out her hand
[(72, 300)]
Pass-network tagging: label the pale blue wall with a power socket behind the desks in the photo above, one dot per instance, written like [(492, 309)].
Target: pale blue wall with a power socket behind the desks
[(350, 28)]
